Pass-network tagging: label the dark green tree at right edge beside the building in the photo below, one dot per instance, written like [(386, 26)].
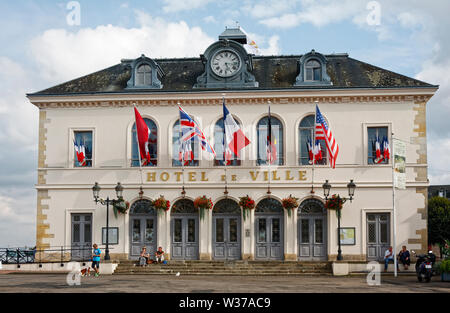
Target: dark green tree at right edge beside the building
[(438, 220)]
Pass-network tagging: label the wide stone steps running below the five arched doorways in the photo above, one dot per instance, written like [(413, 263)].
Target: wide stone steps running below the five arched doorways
[(234, 268)]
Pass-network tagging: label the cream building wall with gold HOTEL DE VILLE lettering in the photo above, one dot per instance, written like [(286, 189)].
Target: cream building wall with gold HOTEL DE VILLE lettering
[(63, 189)]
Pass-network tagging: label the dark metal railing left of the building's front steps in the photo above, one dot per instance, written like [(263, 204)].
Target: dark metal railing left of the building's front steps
[(61, 254)]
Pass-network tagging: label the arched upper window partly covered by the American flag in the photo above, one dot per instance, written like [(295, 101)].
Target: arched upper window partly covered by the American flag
[(305, 134)]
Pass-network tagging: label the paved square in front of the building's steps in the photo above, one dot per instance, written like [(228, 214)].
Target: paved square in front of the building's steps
[(36, 283)]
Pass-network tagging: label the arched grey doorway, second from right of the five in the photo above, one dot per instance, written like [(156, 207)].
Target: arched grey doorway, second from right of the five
[(269, 230)]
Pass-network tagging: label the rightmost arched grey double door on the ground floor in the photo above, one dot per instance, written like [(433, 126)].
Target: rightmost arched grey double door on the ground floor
[(312, 231)]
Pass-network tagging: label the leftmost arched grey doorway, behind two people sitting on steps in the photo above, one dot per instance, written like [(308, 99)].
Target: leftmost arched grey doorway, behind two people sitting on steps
[(142, 227)]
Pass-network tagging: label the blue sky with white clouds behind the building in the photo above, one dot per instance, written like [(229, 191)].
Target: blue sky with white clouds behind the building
[(40, 49)]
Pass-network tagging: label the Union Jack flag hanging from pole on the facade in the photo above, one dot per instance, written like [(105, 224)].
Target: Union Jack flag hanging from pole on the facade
[(189, 131)]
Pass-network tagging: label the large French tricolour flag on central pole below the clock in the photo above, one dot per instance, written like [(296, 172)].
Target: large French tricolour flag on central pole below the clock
[(234, 139)]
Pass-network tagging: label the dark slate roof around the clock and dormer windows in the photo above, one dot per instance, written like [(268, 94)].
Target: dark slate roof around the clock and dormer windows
[(272, 72)]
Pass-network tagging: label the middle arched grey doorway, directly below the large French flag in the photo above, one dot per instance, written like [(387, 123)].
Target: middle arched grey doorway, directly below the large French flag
[(226, 230)]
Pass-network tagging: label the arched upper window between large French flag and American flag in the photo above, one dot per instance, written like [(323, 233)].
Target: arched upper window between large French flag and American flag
[(277, 140)]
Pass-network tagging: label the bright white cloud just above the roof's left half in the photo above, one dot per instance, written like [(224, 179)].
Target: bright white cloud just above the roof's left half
[(63, 55)]
